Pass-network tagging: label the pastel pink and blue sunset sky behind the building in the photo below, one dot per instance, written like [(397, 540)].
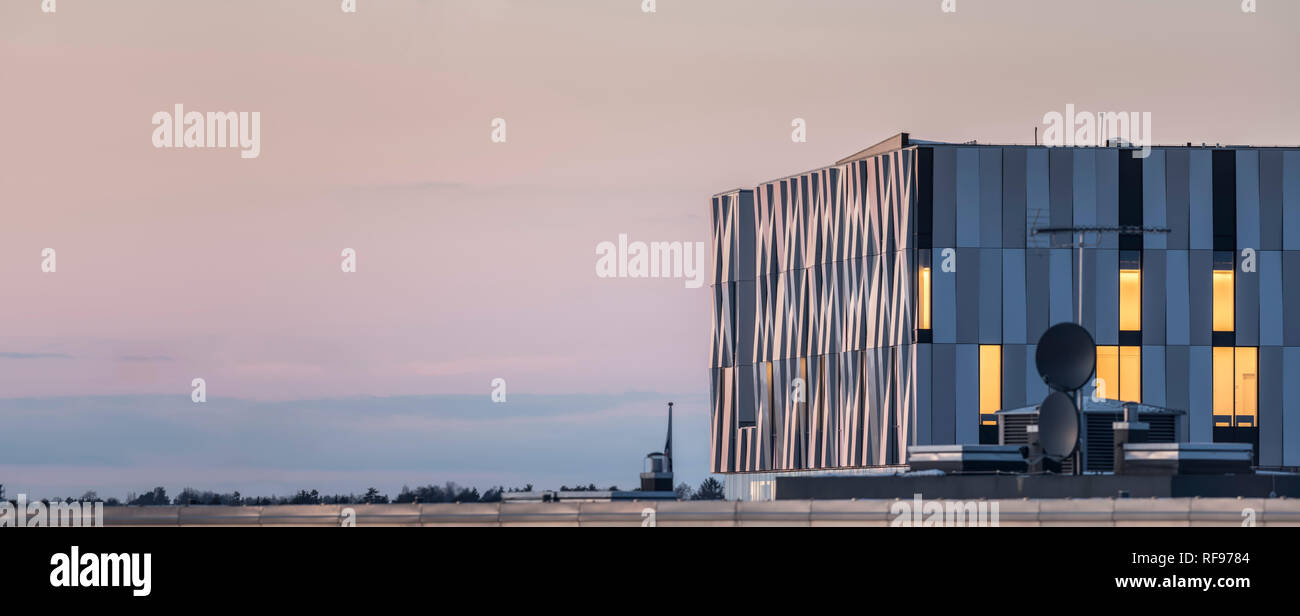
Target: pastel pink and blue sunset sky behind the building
[(476, 259)]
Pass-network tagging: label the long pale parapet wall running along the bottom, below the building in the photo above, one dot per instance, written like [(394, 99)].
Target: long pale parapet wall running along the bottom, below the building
[(876, 513)]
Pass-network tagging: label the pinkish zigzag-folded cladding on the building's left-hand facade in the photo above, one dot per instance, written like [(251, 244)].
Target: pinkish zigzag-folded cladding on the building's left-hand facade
[(833, 306)]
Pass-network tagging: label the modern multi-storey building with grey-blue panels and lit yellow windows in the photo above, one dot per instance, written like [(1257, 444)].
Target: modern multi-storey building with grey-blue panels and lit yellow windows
[(895, 298)]
